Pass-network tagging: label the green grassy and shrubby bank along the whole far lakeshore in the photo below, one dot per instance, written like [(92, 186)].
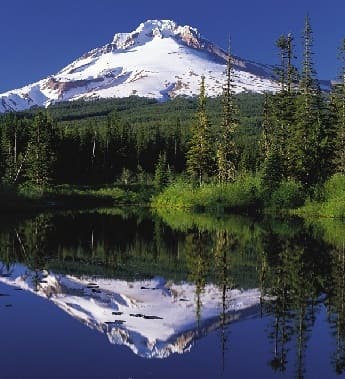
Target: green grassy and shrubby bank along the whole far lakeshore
[(247, 195)]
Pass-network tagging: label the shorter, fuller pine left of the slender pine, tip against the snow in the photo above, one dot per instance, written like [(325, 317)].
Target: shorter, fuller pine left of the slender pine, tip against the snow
[(200, 156)]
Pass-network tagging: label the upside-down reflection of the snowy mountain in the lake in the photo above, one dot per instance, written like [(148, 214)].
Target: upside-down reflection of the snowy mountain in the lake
[(154, 318)]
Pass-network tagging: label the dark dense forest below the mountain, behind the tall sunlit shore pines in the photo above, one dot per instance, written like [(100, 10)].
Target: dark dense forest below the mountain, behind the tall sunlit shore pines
[(102, 141)]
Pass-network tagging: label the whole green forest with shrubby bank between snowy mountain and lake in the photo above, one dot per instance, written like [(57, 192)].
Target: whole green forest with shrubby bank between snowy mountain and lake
[(238, 151)]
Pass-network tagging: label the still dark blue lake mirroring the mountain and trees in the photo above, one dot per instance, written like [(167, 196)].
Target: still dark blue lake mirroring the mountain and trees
[(126, 294)]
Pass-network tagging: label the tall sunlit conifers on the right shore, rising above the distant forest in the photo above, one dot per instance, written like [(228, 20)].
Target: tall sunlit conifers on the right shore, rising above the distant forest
[(302, 134)]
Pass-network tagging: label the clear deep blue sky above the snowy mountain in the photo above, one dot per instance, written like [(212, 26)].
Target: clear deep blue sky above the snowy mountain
[(39, 37)]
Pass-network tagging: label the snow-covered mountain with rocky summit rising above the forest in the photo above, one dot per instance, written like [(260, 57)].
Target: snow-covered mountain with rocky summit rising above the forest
[(159, 59)]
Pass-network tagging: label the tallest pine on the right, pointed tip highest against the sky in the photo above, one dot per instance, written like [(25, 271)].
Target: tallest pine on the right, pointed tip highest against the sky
[(311, 140)]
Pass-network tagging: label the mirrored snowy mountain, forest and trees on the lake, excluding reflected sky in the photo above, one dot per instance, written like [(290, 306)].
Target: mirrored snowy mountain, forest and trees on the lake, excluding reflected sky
[(158, 283)]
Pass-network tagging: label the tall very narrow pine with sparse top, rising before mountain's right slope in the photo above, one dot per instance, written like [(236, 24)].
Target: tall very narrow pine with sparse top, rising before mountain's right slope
[(226, 148)]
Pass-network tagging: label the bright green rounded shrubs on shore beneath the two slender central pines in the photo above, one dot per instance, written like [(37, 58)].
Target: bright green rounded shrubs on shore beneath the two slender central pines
[(246, 195)]
